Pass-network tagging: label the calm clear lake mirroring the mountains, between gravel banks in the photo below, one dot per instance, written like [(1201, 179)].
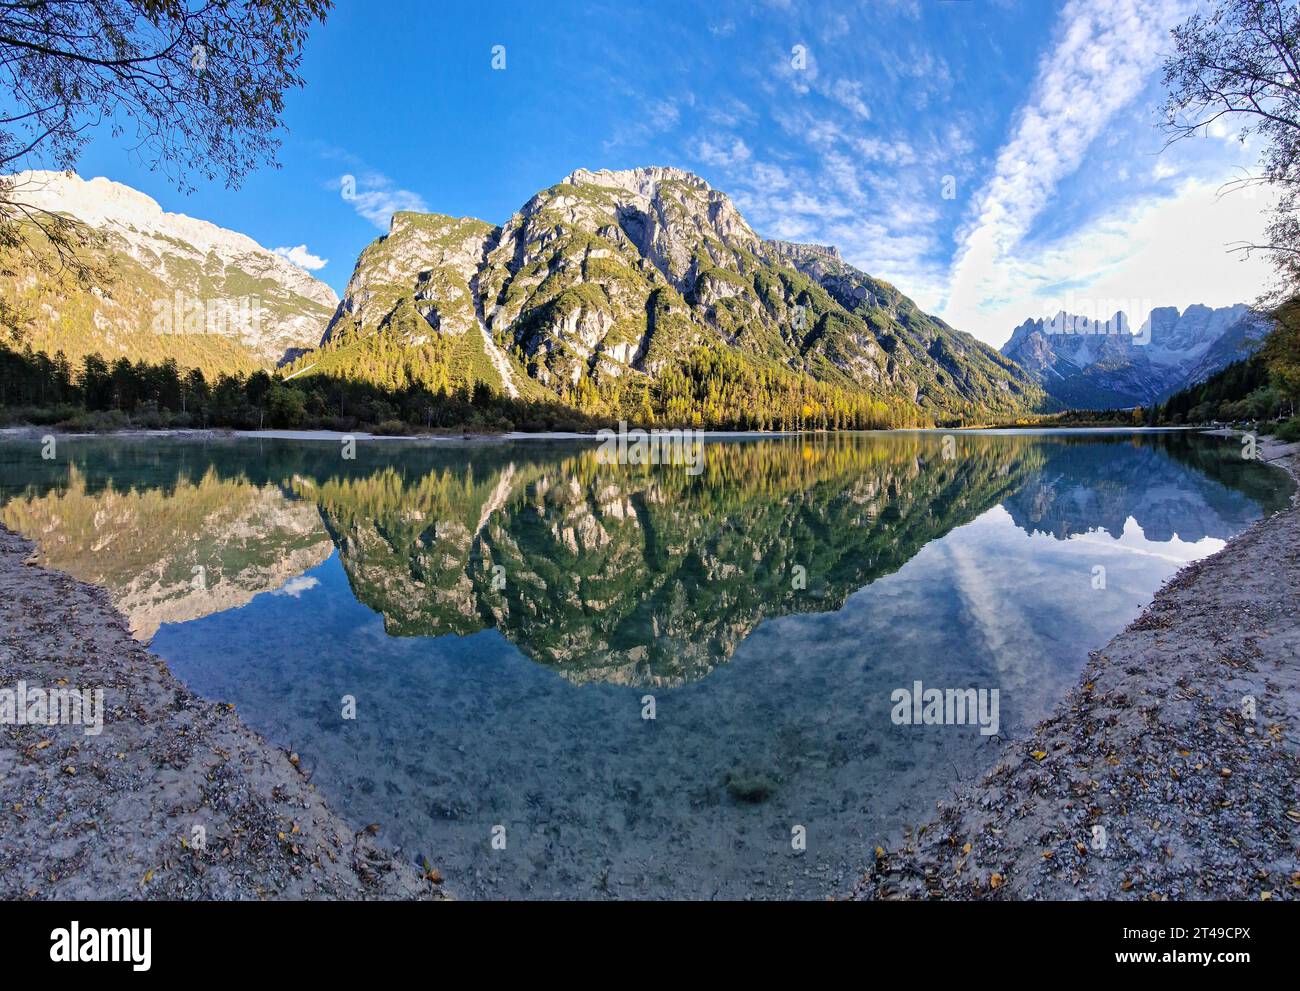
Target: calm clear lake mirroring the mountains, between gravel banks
[(558, 678)]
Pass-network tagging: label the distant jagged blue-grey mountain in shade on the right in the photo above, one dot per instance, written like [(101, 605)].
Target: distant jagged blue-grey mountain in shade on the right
[(1093, 365)]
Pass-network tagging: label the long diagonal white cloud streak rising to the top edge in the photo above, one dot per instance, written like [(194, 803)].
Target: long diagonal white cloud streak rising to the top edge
[(1102, 57)]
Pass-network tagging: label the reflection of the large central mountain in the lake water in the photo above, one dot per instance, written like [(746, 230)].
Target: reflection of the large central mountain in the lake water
[(635, 577)]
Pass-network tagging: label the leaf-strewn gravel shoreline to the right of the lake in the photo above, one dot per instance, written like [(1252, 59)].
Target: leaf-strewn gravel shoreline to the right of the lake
[(1152, 780)]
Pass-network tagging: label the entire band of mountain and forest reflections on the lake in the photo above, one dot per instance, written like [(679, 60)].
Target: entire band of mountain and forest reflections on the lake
[(618, 574)]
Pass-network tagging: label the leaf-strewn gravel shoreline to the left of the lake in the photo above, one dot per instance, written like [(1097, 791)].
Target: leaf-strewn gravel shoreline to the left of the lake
[(176, 799)]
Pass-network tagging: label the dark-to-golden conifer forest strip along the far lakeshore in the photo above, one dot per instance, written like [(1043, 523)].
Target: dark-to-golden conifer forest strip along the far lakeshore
[(714, 387)]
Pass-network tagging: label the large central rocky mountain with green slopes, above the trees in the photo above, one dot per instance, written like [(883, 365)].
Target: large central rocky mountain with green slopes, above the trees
[(613, 280)]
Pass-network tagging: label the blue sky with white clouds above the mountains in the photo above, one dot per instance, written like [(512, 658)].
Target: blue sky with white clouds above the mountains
[(831, 123)]
